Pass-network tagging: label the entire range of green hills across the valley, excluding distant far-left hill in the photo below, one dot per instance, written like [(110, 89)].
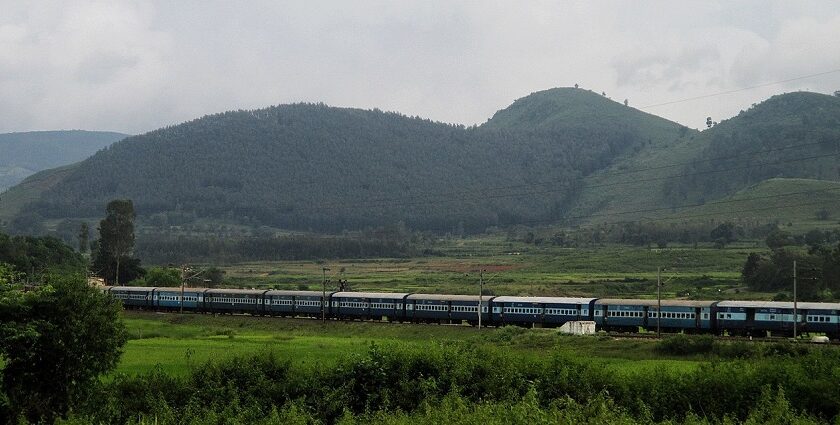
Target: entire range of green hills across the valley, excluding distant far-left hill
[(561, 156)]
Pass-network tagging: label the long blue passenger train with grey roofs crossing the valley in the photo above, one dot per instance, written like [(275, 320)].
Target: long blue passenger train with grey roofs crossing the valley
[(749, 318)]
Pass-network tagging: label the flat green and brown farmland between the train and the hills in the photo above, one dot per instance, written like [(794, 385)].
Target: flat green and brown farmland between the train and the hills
[(519, 269)]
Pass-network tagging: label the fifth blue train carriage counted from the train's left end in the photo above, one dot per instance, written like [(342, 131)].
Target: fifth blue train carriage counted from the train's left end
[(369, 305)]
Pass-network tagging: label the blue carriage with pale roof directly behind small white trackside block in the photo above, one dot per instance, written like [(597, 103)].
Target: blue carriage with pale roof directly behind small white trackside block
[(551, 311)]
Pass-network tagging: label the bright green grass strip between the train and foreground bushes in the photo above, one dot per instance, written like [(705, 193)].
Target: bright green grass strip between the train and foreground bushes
[(175, 343)]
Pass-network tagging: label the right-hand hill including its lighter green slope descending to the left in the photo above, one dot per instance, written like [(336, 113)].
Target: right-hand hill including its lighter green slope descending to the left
[(795, 135)]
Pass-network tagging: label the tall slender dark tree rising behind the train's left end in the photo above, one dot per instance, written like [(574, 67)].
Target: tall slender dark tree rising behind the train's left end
[(116, 233)]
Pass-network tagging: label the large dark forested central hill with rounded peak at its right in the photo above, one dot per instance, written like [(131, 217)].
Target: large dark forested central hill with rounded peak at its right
[(310, 166)]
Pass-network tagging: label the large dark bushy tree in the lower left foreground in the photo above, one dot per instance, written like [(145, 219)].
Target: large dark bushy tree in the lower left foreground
[(56, 341)]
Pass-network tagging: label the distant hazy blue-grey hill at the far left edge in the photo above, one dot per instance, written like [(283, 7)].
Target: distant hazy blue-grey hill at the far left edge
[(24, 154)]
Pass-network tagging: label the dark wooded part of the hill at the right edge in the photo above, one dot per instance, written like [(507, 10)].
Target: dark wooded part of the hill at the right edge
[(795, 135)]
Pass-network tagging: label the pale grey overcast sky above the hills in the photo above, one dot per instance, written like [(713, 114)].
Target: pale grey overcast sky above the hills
[(136, 66)]
